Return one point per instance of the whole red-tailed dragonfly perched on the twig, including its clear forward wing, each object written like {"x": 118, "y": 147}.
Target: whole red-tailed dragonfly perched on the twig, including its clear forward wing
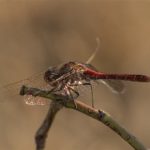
{"x": 66, "y": 79}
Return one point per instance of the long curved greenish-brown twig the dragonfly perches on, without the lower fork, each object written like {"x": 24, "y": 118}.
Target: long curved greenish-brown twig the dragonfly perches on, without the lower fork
{"x": 99, "y": 115}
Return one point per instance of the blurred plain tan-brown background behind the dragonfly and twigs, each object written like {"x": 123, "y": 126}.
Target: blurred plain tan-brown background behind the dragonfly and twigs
{"x": 37, "y": 34}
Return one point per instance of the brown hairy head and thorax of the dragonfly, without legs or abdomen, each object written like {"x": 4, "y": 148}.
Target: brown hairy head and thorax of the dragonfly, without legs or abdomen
{"x": 69, "y": 73}
